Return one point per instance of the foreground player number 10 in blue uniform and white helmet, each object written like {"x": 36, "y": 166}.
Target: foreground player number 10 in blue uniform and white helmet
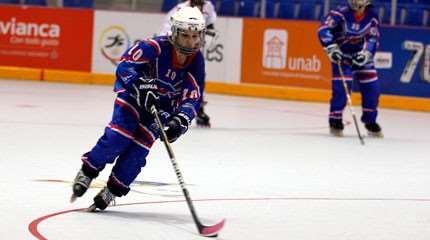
{"x": 165, "y": 72}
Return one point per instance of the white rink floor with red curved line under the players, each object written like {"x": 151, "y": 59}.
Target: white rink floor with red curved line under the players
{"x": 269, "y": 167}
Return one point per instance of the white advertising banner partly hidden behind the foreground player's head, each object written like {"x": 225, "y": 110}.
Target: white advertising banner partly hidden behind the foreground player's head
{"x": 114, "y": 32}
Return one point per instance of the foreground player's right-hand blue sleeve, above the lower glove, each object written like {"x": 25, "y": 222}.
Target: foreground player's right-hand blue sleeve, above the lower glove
{"x": 193, "y": 87}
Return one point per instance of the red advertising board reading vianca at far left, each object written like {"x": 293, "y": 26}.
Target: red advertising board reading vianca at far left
{"x": 40, "y": 37}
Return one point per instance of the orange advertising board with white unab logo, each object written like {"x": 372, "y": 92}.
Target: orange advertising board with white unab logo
{"x": 284, "y": 53}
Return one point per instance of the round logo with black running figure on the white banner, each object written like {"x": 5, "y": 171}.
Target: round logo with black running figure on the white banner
{"x": 113, "y": 42}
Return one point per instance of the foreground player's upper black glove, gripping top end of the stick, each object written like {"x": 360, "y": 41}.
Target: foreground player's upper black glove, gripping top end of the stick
{"x": 146, "y": 93}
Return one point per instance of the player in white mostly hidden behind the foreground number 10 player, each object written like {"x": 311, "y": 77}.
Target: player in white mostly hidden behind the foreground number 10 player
{"x": 209, "y": 14}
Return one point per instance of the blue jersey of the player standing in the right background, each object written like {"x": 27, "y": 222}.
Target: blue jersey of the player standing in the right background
{"x": 352, "y": 34}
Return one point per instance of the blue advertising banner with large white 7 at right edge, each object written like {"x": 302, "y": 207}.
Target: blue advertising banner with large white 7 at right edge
{"x": 404, "y": 69}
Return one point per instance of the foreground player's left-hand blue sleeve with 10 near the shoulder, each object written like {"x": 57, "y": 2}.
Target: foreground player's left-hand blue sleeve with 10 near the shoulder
{"x": 135, "y": 63}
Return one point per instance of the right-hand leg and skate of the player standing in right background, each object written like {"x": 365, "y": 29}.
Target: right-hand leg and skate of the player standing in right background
{"x": 370, "y": 91}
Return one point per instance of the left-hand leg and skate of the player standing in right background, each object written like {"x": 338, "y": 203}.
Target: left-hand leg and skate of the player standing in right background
{"x": 338, "y": 100}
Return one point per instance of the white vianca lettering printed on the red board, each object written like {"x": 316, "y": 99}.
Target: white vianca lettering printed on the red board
{"x": 30, "y": 29}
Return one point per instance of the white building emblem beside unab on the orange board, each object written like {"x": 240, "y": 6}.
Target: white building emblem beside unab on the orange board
{"x": 275, "y": 48}
